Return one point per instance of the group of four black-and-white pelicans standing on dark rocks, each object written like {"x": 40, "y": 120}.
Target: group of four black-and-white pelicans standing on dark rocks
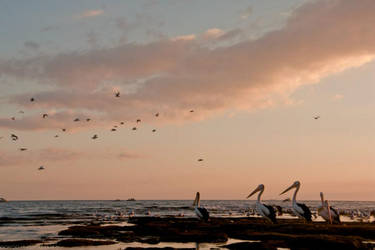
{"x": 327, "y": 212}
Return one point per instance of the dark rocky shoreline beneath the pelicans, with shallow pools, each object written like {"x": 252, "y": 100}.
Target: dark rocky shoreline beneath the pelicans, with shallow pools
{"x": 258, "y": 233}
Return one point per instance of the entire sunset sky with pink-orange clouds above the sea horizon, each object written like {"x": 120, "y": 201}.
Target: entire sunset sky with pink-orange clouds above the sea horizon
{"x": 255, "y": 73}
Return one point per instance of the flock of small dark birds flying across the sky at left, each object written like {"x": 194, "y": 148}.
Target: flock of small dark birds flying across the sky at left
{"x": 117, "y": 94}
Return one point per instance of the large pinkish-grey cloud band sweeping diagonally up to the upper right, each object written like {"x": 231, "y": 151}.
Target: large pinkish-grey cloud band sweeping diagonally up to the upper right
{"x": 171, "y": 76}
